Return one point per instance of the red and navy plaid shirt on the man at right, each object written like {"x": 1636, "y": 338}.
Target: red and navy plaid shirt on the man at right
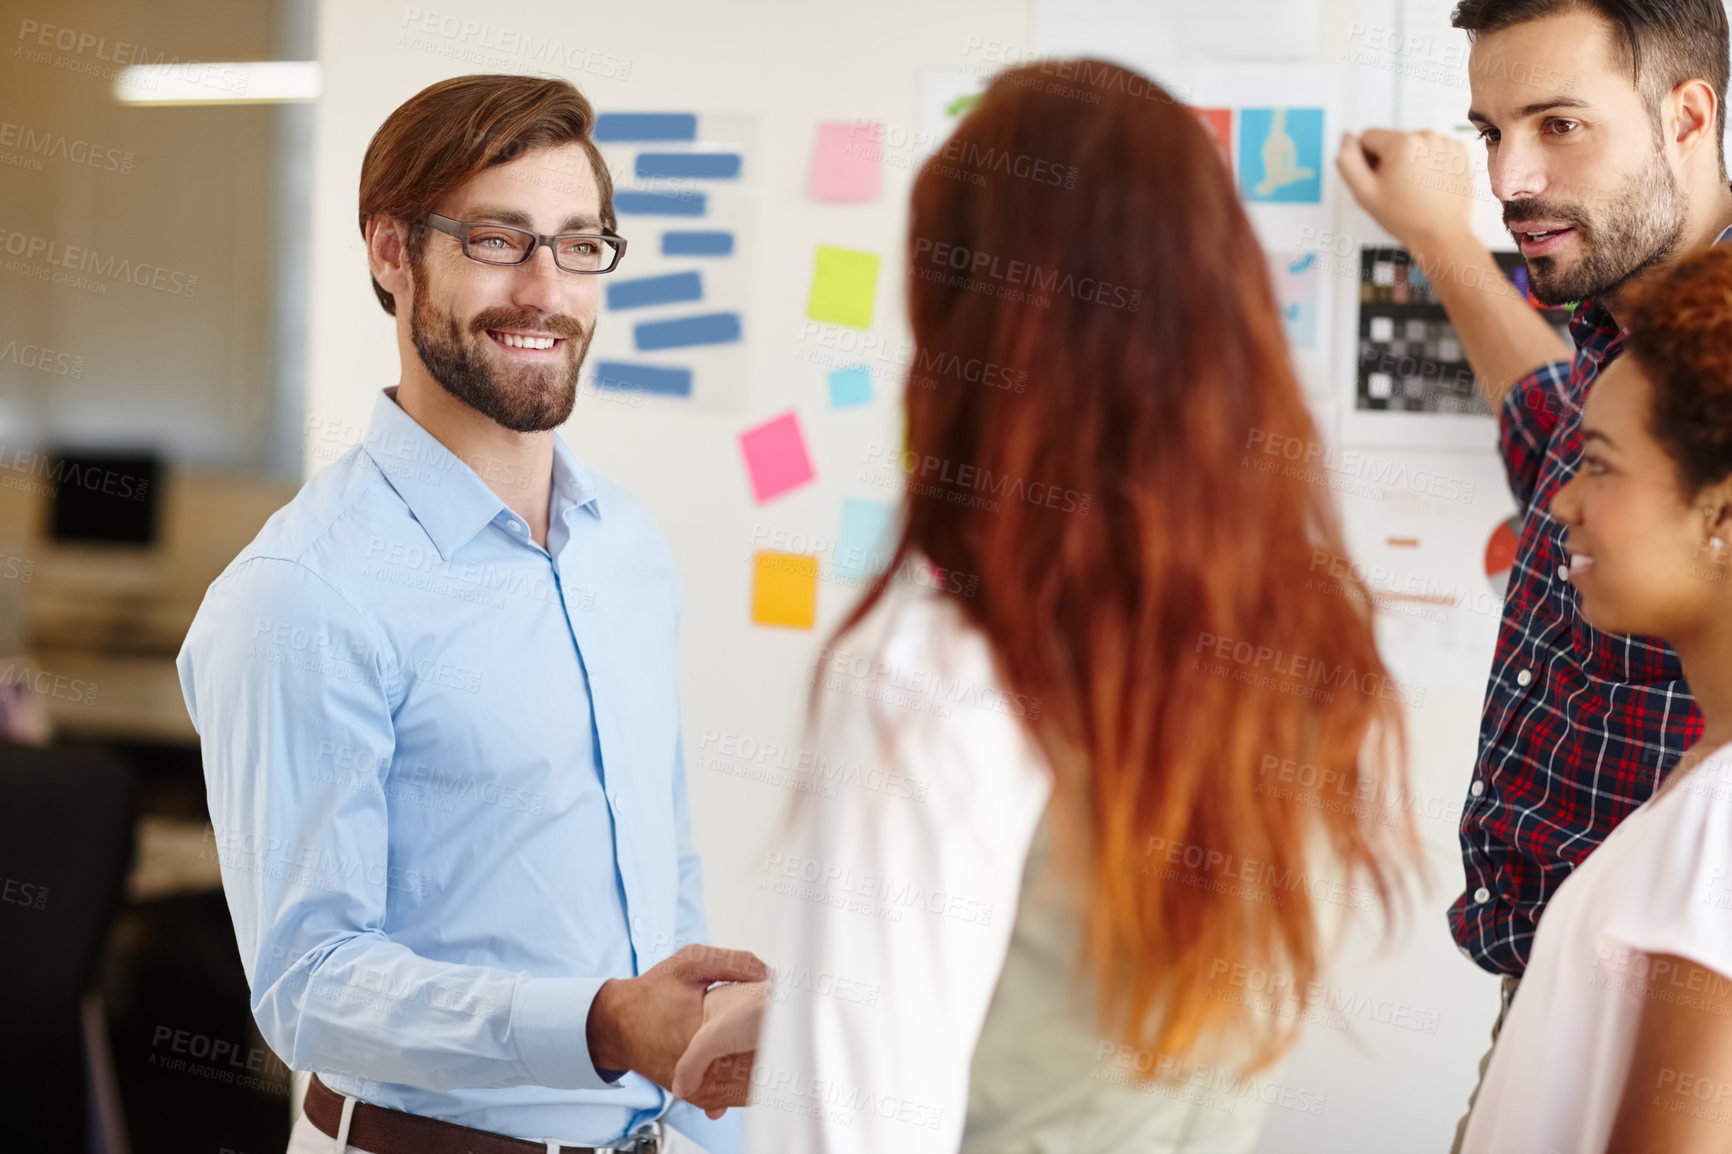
{"x": 1579, "y": 725}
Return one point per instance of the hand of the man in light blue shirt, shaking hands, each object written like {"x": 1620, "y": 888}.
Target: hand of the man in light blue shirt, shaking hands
{"x": 647, "y": 1023}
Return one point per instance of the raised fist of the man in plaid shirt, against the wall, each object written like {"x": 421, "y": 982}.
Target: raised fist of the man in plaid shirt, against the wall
{"x": 1419, "y": 186}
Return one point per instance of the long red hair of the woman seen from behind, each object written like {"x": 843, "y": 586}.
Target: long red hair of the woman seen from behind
{"x": 1095, "y": 335}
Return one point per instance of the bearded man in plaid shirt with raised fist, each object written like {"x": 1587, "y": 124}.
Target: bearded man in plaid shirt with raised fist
{"x": 1605, "y": 141}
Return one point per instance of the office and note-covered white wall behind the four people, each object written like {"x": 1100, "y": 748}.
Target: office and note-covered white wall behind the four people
{"x": 188, "y": 332}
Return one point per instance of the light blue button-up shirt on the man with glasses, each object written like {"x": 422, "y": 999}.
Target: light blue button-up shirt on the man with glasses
{"x": 448, "y": 786}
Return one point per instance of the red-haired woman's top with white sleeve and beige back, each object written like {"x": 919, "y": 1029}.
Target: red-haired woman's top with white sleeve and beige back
{"x": 903, "y": 909}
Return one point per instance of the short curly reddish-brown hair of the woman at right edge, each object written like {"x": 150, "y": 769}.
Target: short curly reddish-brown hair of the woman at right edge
{"x": 1681, "y": 335}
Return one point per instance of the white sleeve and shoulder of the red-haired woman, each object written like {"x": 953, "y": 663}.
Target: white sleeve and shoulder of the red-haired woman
{"x": 902, "y": 900}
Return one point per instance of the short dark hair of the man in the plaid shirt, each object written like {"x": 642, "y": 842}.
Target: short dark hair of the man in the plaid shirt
{"x": 1660, "y": 42}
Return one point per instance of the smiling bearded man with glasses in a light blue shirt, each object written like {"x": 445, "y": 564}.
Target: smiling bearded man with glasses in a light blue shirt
{"x": 439, "y": 713}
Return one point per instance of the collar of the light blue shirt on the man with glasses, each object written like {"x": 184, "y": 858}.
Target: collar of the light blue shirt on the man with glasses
{"x": 446, "y": 496}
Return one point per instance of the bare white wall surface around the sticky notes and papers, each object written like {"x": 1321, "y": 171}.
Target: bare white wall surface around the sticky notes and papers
{"x": 792, "y": 65}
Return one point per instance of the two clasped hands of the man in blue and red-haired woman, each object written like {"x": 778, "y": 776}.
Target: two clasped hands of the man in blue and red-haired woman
{"x": 688, "y": 1025}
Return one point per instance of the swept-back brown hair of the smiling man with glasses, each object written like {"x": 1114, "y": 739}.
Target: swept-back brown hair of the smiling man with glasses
{"x": 460, "y": 127}
